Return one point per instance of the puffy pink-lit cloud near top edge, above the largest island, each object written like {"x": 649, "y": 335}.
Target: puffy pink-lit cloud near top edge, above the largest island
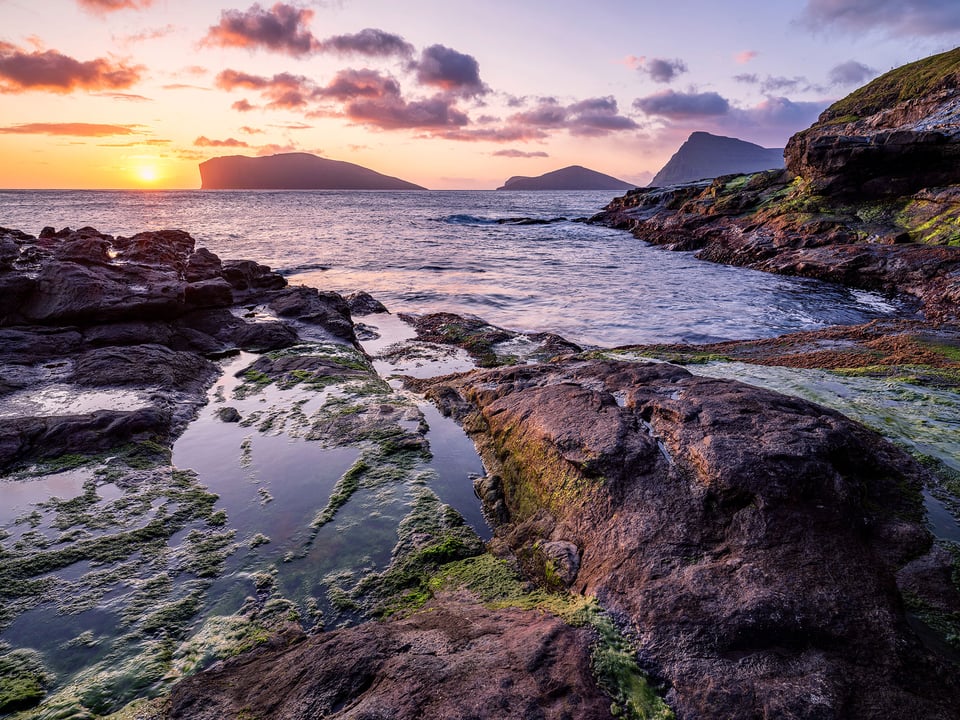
{"x": 282, "y": 29}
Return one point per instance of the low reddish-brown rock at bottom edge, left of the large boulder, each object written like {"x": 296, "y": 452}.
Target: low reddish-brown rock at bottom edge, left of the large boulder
{"x": 455, "y": 659}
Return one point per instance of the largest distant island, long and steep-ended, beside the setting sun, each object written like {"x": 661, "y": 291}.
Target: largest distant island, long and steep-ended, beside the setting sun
{"x": 293, "y": 171}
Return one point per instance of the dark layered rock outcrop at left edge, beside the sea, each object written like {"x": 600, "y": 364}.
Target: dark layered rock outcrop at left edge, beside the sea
{"x": 148, "y": 312}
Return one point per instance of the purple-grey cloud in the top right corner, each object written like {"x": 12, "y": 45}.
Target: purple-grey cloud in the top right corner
{"x": 898, "y": 17}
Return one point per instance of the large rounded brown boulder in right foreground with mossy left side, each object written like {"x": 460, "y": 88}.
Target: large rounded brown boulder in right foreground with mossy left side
{"x": 750, "y": 540}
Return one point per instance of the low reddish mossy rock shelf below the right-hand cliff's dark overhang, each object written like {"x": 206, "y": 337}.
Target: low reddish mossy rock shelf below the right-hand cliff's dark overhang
{"x": 775, "y": 223}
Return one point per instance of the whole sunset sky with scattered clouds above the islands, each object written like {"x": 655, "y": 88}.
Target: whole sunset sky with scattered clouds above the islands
{"x": 449, "y": 95}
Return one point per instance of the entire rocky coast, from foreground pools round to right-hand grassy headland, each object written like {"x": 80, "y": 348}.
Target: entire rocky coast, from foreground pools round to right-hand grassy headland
{"x": 663, "y": 544}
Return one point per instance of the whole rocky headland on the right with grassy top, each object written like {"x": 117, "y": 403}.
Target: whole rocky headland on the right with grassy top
{"x": 870, "y": 197}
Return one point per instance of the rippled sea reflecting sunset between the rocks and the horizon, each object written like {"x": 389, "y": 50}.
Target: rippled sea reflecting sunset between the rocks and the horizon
{"x": 430, "y": 251}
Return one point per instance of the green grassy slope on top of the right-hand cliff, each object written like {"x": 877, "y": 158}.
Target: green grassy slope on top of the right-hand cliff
{"x": 903, "y": 83}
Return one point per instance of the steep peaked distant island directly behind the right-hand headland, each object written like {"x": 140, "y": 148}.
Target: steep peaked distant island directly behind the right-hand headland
{"x": 705, "y": 156}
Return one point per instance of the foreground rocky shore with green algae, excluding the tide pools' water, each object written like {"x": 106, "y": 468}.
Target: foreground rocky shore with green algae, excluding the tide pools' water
{"x": 665, "y": 545}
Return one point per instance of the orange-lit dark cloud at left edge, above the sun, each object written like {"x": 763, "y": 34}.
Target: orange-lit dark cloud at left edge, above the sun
{"x": 22, "y": 71}
